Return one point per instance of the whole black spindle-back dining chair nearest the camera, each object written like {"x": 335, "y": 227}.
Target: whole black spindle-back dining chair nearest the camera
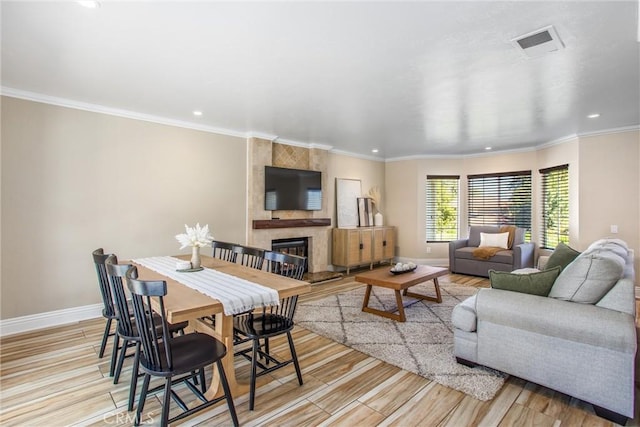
{"x": 176, "y": 359}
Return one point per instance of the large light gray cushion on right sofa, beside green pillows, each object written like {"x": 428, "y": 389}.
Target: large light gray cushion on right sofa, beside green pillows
{"x": 588, "y": 278}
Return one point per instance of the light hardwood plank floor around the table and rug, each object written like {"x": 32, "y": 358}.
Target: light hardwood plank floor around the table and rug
{"x": 53, "y": 377}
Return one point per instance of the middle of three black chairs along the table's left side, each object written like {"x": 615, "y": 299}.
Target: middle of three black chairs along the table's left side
{"x": 126, "y": 329}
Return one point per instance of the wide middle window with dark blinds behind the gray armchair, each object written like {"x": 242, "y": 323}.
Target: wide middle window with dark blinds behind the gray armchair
{"x": 500, "y": 199}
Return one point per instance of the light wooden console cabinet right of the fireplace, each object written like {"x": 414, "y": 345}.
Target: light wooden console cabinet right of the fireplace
{"x": 363, "y": 245}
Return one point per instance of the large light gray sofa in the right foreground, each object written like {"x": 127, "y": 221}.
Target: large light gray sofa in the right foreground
{"x": 579, "y": 340}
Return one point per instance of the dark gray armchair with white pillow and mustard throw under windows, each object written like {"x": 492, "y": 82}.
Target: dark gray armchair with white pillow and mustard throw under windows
{"x": 461, "y": 259}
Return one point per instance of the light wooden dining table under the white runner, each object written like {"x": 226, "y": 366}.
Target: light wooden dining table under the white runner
{"x": 184, "y": 303}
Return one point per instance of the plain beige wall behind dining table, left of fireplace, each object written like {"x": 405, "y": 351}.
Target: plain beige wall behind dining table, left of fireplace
{"x": 73, "y": 181}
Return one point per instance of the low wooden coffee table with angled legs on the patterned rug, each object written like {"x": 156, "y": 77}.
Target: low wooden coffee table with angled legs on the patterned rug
{"x": 400, "y": 282}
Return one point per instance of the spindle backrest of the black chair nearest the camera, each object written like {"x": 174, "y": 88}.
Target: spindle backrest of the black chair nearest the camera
{"x": 153, "y": 330}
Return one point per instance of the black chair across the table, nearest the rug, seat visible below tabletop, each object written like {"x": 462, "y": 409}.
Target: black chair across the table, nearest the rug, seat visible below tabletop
{"x": 269, "y": 323}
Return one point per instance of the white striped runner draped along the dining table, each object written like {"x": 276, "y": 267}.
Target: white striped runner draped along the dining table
{"x": 236, "y": 295}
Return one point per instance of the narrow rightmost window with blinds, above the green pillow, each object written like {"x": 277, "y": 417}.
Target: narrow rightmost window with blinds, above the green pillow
{"x": 555, "y": 206}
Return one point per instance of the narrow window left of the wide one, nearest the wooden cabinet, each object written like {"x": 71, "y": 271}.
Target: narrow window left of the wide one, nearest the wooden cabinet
{"x": 442, "y": 208}
